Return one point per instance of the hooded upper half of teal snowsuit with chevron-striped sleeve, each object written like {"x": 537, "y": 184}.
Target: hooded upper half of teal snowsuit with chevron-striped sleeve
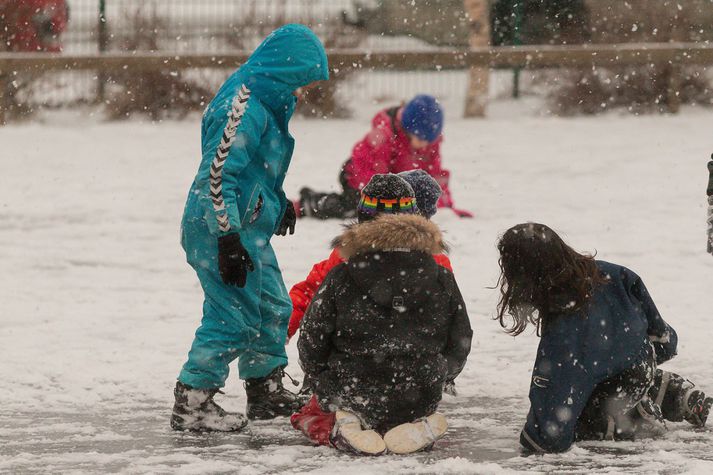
{"x": 240, "y": 189}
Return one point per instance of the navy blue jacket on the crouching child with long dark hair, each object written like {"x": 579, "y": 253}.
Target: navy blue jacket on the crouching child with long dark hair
{"x": 578, "y": 351}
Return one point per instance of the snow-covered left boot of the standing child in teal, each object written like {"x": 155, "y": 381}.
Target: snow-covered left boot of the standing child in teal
{"x": 195, "y": 410}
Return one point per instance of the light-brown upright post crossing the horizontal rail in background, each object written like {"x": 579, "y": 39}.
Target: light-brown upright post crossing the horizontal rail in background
{"x": 476, "y": 97}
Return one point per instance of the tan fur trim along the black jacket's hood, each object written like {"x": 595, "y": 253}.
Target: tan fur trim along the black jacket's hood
{"x": 388, "y": 232}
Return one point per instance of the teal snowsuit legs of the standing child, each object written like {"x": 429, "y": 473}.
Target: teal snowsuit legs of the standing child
{"x": 248, "y": 323}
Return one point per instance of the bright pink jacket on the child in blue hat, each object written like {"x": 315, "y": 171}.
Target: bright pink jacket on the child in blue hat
{"x": 387, "y": 149}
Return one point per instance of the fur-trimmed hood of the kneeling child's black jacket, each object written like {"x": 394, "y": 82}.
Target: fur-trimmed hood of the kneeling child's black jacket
{"x": 391, "y": 259}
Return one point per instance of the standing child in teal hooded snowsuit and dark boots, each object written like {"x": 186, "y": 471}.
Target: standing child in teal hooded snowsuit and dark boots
{"x": 234, "y": 207}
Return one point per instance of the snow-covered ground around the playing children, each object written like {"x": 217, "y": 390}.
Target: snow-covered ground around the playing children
{"x": 98, "y": 306}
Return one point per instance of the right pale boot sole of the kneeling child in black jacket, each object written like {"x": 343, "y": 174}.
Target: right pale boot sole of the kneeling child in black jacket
{"x": 415, "y": 436}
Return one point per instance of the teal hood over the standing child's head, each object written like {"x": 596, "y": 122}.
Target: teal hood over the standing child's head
{"x": 290, "y": 57}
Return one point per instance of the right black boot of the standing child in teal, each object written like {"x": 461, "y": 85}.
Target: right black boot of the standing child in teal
{"x": 268, "y": 398}
